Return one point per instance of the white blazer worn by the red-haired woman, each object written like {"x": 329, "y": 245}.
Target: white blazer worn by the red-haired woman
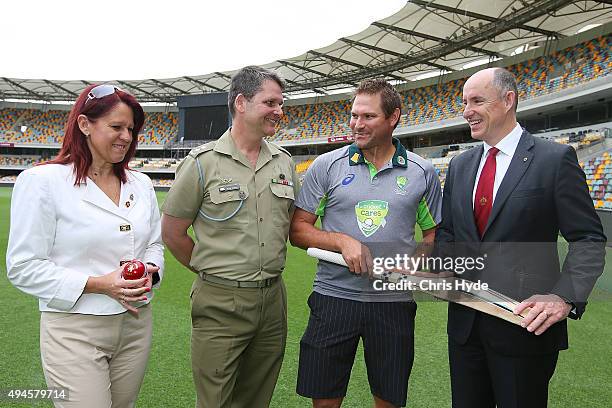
{"x": 60, "y": 235}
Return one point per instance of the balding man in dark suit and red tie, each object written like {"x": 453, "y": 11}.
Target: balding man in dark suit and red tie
{"x": 509, "y": 199}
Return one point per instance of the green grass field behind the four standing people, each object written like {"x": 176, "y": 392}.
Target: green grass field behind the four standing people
{"x": 582, "y": 378}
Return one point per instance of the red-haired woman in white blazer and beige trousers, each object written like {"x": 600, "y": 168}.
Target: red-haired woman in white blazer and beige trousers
{"x": 74, "y": 221}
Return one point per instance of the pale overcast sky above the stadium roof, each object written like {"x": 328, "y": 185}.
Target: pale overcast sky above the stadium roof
{"x": 135, "y": 39}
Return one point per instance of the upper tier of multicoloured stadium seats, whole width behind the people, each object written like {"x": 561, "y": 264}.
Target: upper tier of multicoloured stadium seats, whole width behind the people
{"x": 536, "y": 77}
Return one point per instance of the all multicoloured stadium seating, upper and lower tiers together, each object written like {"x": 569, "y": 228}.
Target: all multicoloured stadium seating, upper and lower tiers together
{"x": 320, "y": 121}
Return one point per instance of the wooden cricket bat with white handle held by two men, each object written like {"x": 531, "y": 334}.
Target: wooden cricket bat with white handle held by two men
{"x": 451, "y": 289}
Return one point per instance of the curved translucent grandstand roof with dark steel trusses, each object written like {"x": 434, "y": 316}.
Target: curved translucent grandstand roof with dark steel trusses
{"x": 426, "y": 36}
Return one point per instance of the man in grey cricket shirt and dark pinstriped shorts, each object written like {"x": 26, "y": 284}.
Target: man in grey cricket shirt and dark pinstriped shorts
{"x": 372, "y": 192}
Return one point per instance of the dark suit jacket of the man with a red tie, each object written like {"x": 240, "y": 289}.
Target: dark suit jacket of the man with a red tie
{"x": 544, "y": 192}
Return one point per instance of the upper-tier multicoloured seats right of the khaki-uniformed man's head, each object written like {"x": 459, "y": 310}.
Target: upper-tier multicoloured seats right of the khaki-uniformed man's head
{"x": 535, "y": 77}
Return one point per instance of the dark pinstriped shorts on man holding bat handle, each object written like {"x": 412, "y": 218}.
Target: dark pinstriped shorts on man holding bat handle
{"x": 329, "y": 345}
